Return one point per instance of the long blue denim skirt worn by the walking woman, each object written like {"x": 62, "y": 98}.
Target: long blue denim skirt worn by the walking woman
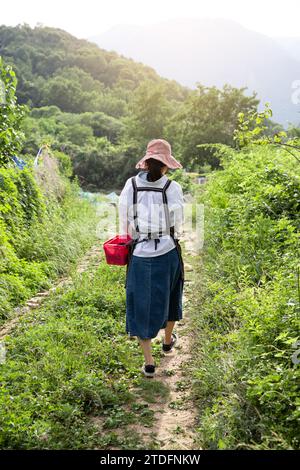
{"x": 153, "y": 293}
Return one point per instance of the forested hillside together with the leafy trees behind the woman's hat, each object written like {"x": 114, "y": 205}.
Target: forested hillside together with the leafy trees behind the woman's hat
{"x": 101, "y": 108}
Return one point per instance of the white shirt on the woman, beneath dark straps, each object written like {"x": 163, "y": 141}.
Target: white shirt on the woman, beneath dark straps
{"x": 150, "y": 211}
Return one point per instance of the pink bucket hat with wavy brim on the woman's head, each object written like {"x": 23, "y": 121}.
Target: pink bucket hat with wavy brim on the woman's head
{"x": 159, "y": 149}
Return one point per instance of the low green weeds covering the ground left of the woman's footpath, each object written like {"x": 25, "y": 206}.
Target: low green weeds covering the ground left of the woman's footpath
{"x": 66, "y": 381}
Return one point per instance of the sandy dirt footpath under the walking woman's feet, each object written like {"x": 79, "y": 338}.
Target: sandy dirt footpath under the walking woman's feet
{"x": 175, "y": 417}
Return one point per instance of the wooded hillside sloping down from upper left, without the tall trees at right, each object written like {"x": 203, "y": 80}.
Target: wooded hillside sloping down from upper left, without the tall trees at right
{"x": 83, "y": 95}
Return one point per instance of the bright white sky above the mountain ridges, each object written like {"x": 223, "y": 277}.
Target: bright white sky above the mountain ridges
{"x": 86, "y": 18}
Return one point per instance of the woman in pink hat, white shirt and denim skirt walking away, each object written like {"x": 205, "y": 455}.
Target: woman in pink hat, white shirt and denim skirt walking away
{"x": 151, "y": 212}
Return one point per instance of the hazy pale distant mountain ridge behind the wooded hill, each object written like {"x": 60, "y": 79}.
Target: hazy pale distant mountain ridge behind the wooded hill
{"x": 213, "y": 51}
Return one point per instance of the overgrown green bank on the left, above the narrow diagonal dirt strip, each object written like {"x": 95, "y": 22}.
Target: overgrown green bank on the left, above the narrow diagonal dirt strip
{"x": 39, "y": 237}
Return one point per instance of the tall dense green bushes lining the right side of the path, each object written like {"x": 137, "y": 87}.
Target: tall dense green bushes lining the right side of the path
{"x": 246, "y": 383}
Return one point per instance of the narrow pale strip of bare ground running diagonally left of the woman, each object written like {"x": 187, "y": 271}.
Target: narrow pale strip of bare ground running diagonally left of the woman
{"x": 90, "y": 258}
